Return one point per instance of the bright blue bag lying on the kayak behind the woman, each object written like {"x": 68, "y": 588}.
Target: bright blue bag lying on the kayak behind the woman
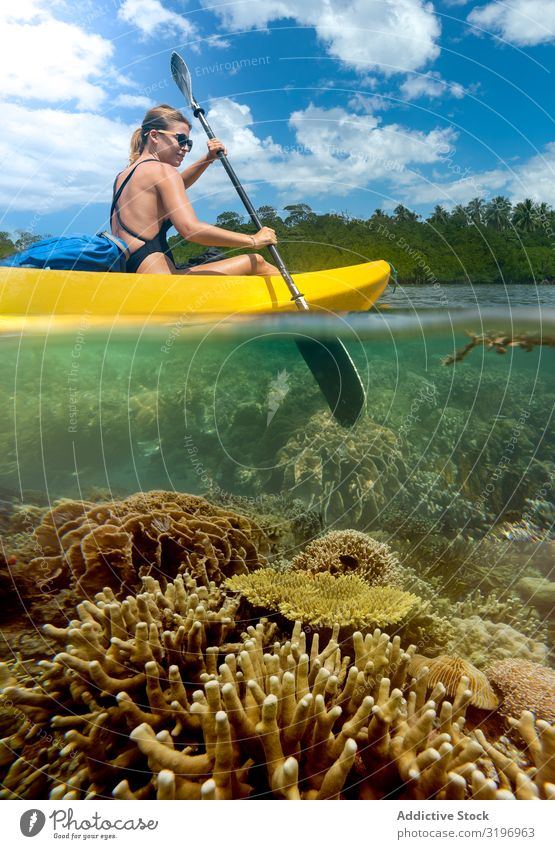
{"x": 103, "y": 252}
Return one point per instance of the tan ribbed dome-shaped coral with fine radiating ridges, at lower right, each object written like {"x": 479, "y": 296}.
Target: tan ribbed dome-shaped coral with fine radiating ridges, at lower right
{"x": 449, "y": 670}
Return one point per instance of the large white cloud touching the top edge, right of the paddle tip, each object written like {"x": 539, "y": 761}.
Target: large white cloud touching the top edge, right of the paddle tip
{"x": 390, "y": 35}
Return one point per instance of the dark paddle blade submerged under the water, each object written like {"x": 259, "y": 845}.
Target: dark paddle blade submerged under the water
{"x": 336, "y": 376}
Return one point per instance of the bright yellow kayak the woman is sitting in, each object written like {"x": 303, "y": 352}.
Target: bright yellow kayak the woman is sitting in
{"x": 26, "y": 292}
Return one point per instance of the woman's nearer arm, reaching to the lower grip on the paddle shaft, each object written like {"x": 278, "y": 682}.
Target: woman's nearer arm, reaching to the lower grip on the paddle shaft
{"x": 178, "y": 207}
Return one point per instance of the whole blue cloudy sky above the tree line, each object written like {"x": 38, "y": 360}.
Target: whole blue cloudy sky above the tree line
{"x": 345, "y": 105}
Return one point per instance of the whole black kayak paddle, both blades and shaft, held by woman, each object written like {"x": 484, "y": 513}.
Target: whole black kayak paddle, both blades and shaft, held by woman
{"x": 328, "y": 360}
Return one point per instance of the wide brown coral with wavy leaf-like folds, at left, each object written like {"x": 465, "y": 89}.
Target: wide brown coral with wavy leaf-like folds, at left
{"x": 115, "y": 544}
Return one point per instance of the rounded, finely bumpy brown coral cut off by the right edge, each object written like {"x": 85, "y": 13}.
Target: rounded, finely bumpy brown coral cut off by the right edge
{"x": 524, "y": 686}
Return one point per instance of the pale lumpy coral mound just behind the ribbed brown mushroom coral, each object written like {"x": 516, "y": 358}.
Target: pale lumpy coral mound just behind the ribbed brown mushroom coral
{"x": 481, "y": 641}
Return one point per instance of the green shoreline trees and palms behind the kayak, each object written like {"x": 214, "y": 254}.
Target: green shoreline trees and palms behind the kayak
{"x": 482, "y": 242}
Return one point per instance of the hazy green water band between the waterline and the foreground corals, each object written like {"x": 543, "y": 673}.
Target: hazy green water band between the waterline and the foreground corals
{"x": 234, "y": 410}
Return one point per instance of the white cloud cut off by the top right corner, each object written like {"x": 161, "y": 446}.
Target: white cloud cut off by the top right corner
{"x": 522, "y": 22}
